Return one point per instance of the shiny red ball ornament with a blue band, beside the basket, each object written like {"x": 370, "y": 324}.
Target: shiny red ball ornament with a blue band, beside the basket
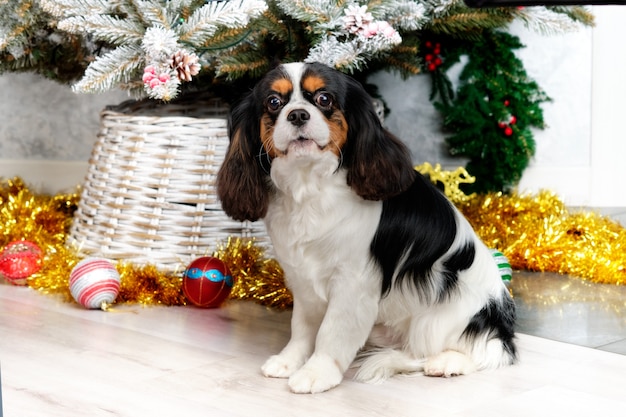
{"x": 207, "y": 282}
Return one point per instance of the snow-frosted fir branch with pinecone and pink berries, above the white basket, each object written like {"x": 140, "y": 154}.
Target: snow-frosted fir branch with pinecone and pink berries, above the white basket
{"x": 149, "y": 34}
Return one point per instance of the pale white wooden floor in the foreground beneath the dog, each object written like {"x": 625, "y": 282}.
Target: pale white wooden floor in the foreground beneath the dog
{"x": 58, "y": 359}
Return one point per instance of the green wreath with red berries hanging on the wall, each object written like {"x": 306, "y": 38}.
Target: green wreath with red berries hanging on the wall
{"x": 490, "y": 116}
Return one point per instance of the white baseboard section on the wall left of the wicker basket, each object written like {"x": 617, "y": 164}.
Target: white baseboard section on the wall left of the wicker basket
{"x": 45, "y": 176}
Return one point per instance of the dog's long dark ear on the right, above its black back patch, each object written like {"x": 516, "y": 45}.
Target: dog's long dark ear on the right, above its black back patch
{"x": 379, "y": 165}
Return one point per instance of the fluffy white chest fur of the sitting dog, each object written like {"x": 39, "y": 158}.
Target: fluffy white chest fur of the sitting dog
{"x": 321, "y": 230}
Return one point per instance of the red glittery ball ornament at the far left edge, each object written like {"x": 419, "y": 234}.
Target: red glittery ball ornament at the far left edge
{"x": 19, "y": 260}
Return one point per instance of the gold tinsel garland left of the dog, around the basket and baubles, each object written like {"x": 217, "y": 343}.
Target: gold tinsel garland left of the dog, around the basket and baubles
{"x": 45, "y": 220}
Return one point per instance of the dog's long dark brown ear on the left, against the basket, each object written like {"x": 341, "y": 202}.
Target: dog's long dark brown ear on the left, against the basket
{"x": 242, "y": 185}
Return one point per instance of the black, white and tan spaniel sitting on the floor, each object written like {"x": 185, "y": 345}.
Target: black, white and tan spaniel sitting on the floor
{"x": 380, "y": 263}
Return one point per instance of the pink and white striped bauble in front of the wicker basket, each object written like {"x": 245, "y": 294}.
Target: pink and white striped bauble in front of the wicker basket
{"x": 94, "y": 283}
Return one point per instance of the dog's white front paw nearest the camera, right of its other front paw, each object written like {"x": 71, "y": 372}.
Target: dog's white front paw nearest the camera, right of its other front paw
{"x": 318, "y": 375}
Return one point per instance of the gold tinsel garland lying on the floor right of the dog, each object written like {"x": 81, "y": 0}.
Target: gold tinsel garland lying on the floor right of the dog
{"x": 538, "y": 233}
